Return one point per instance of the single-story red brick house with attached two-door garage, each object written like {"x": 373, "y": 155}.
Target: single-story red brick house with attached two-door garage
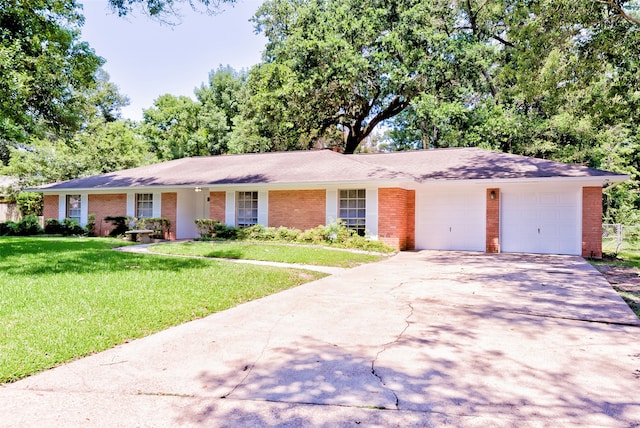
{"x": 449, "y": 199}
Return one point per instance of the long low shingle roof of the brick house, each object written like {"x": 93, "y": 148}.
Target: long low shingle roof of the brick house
{"x": 325, "y": 166}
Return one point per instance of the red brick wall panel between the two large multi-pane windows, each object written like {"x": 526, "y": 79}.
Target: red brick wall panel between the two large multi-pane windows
{"x": 300, "y": 209}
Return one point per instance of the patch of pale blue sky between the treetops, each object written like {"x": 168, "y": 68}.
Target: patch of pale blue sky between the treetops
{"x": 147, "y": 59}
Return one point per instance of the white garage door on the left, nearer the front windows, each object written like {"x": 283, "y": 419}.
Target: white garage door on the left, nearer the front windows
{"x": 451, "y": 220}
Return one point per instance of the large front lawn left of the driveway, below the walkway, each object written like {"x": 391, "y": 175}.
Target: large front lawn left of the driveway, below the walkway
{"x": 63, "y": 298}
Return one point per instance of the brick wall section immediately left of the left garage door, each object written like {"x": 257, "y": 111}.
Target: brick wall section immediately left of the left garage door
{"x": 396, "y": 217}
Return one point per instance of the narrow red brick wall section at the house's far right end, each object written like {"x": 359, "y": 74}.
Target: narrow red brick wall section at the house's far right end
{"x": 592, "y": 222}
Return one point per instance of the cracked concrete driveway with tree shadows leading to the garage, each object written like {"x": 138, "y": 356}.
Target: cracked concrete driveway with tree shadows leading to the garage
{"x": 422, "y": 339}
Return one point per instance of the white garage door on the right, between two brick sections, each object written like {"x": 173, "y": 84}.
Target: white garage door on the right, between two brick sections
{"x": 544, "y": 222}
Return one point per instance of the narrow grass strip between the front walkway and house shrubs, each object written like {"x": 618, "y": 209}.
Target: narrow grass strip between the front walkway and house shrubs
{"x": 269, "y": 252}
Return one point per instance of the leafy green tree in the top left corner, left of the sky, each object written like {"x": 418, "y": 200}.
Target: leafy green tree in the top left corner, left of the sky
{"x": 44, "y": 67}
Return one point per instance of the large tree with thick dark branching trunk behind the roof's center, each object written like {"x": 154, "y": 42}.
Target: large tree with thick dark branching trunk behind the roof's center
{"x": 354, "y": 64}
